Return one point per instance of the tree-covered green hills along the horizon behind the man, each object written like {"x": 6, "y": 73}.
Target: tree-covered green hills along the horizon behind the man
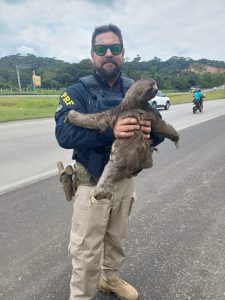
{"x": 176, "y": 73}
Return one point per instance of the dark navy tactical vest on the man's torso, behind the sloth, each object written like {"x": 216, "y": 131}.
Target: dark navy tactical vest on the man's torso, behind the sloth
{"x": 99, "y": 99}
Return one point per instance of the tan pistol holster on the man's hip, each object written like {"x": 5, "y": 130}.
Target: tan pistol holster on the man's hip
{"x": 68, "y": 179}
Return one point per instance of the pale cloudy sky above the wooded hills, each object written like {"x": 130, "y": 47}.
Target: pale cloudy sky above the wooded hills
{"x": 151, "y": 28}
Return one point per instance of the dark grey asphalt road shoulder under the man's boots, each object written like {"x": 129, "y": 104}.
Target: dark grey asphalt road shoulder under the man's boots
{"x": 176, "y": 243}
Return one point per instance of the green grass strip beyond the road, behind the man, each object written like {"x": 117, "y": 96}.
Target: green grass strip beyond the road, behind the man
{"x": 22, "y": 108}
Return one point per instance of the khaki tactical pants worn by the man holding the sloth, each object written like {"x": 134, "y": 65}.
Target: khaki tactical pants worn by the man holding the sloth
{"x": 97, "y": 237}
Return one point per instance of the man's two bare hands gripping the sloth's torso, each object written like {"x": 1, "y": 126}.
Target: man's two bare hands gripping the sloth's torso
{"x": 126, "y": 127}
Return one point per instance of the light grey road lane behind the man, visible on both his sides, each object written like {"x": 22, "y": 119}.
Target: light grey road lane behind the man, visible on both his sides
{"x": 29, "y": 150}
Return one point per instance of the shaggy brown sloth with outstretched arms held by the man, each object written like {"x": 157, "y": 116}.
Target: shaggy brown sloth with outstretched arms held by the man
{"x": 128, "y": 155}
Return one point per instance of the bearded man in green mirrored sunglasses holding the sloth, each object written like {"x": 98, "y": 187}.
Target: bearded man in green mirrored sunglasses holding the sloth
{"x": 99, "y": 230}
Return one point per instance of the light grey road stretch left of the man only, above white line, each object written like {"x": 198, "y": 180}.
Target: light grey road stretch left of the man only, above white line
{"x": 28, "y": 152}
